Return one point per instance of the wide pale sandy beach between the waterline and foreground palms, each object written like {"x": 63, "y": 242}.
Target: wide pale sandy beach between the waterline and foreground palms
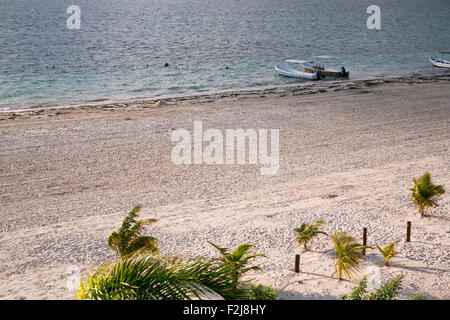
{"x": 348, "y": 153}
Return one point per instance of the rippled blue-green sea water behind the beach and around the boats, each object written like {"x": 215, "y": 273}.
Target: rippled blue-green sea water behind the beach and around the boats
{"x": 121, "y": 47}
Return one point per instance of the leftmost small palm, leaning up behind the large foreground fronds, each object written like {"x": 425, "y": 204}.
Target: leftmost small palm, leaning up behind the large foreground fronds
{"x": 128, "y": 239}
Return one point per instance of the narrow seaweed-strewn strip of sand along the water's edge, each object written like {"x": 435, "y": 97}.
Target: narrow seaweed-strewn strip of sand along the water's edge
{"x": 235, "y": 93}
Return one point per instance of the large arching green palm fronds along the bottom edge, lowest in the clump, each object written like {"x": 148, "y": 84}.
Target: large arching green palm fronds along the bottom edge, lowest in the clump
{"x": 146, "y": 276}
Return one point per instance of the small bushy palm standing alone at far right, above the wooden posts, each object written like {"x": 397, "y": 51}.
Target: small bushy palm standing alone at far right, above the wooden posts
{"x": 424, "y": 192}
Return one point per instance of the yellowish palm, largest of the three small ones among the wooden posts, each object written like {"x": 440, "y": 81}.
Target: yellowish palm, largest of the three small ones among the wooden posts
{"x": 349, "y": 254}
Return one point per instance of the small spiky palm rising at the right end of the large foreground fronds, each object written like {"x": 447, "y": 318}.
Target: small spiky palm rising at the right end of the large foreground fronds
{"x": 237, "y": 260}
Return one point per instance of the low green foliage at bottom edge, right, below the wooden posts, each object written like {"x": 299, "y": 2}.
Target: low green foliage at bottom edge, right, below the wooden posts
{"x": 388, "y": 291}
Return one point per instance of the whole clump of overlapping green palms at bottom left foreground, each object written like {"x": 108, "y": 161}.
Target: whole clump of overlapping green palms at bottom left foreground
{"x": 142, "y": 273}
